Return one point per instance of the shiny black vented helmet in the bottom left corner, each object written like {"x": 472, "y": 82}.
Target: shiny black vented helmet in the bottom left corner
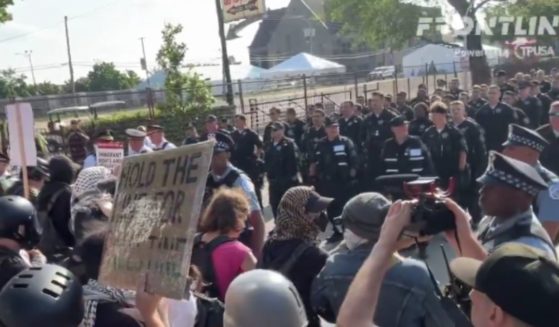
{"x": 42, "y": 296}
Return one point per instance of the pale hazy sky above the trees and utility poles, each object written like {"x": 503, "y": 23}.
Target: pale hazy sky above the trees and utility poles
{"x": 109, "y": 30}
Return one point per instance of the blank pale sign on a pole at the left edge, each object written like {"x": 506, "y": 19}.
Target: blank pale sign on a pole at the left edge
{"x": 21, "y": 132}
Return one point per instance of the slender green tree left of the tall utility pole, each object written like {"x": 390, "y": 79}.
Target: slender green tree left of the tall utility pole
{"x": 187, "y": 95}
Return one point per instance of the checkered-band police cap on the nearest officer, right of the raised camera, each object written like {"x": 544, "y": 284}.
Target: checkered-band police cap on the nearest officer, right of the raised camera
{"x": 516, "y": 174}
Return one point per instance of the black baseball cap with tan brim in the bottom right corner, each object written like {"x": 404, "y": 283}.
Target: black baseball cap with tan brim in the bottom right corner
{"x": 517, "y": 278}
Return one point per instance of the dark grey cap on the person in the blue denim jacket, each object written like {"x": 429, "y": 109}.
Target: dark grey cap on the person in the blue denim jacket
{"x": 364, "y": 214}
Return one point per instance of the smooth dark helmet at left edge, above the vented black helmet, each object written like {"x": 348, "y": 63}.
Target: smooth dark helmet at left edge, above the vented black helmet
{"x": 18, "y": 221}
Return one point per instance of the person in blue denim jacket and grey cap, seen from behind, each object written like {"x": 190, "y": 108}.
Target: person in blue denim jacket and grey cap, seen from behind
{"x": 407, "y": 295}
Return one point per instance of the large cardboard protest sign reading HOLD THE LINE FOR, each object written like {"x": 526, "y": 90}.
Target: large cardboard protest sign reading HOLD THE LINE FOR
{"x": 154, "y": 220}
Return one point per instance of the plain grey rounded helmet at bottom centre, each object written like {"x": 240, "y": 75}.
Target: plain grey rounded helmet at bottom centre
{"x": 263, "y": 298}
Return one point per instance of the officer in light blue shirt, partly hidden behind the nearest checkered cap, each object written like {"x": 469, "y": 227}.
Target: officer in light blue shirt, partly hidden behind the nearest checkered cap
{"x": 526, "y": 145}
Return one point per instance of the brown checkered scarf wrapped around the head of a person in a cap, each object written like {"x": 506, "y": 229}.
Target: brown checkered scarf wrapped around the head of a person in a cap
{"x": 292, "y": 221}
